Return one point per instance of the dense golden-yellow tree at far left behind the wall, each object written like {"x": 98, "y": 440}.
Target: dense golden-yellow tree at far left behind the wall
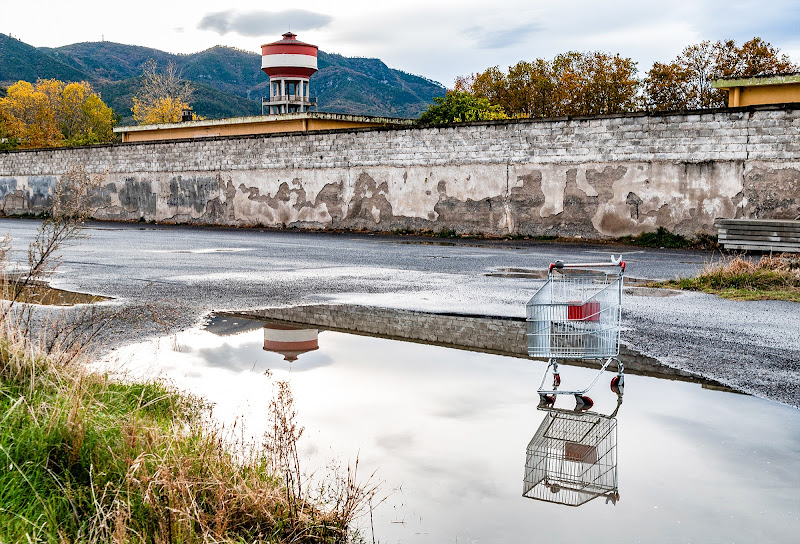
{"x": 53, "y": 113}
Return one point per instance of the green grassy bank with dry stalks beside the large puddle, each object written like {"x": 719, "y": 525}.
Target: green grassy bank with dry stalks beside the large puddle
{"x": 84, "y": 458}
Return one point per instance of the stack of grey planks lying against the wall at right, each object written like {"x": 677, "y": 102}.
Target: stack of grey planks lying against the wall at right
{"x": 775, "y": 235}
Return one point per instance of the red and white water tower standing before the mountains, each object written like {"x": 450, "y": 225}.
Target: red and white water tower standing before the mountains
{"x": 288, "y": 63}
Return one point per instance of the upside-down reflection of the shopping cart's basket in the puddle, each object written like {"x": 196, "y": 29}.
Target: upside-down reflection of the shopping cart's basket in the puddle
{"x": 572, "y": 458}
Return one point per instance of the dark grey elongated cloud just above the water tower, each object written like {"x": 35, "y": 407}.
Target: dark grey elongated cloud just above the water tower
{"x": 261, "y": 23}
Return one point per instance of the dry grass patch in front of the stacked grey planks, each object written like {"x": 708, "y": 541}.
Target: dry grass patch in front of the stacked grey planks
{"x": 771, "y": 277}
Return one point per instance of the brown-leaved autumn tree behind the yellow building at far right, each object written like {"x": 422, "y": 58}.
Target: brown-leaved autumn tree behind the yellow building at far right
{"x": 685, "y": 83}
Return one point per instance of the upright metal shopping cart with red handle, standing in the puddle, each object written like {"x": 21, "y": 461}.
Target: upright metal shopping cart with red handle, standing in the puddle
{"x": 576, "y": 315}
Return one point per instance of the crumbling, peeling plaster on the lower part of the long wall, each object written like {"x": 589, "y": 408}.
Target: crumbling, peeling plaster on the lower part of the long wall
{"x": 606, "y": 199}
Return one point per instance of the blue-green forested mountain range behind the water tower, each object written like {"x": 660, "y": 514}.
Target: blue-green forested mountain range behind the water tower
{"x": 228, "y": 82}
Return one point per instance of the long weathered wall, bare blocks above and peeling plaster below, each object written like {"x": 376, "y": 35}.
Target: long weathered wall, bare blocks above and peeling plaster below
{"x": 594, "y": 177}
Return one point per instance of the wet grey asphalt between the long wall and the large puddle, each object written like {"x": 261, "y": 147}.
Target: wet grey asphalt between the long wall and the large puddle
{"x": 186, "y": 272}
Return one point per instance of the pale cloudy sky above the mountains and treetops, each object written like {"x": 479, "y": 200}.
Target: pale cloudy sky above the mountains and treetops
{"x": 438, "y": 40}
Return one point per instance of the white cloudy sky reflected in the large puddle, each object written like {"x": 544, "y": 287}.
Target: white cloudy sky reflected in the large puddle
{"x": 447, "y": 431}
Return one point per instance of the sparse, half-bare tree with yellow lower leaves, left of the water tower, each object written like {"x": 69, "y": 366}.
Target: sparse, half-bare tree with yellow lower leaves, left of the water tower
{"x": 163, "y": 95}
